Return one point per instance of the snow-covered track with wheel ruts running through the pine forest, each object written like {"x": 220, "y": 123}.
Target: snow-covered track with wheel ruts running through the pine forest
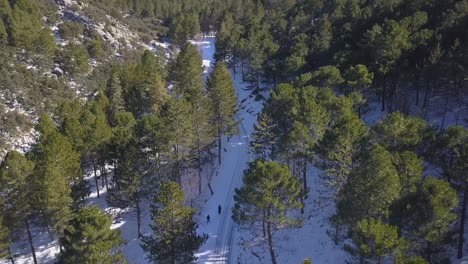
{"x": 221, "y": 229}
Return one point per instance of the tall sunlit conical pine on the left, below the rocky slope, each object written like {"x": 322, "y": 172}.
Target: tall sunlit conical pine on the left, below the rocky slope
{"x": 58, "y": 169}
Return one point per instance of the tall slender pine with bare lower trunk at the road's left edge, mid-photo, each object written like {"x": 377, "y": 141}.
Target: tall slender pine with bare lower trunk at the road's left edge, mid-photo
{"x": 222, "y": 95}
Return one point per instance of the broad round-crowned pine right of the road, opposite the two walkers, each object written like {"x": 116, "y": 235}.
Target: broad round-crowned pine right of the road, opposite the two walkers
{"x": 268, "y": 194}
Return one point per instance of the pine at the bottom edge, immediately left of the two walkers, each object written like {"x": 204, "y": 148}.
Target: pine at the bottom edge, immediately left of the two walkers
{"x": 175, "y": 238}
